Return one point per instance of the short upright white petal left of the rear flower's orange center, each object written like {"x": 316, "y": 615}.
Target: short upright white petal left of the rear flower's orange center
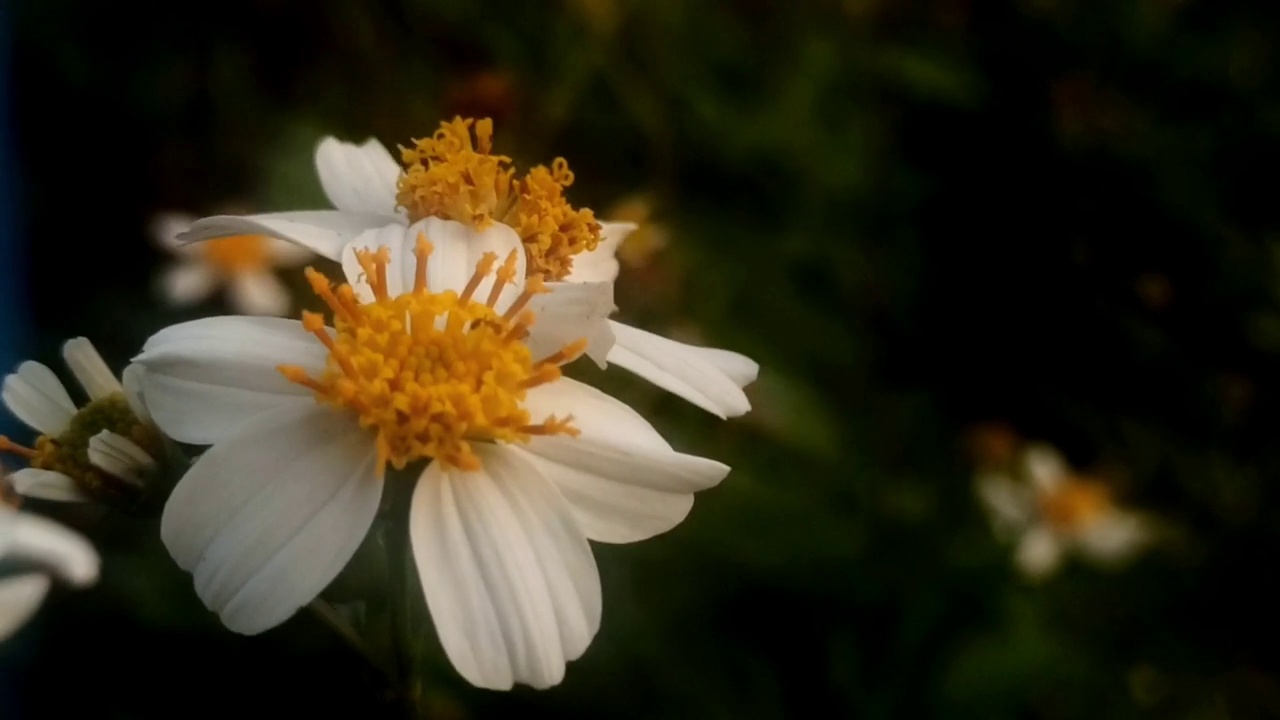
{"x": 358, "y": 179}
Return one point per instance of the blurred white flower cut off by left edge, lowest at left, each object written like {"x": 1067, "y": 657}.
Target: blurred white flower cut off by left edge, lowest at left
{"x": 38, "y": 552}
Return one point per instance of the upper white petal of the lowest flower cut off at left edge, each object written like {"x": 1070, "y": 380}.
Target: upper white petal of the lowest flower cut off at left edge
{"x": 62, "y": 550}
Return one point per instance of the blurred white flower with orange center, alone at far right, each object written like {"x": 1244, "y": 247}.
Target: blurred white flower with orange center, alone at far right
{"x": 1050, "y": 512}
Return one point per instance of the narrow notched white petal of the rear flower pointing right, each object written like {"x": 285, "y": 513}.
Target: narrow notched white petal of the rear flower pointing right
{"x": 711, "y": 381}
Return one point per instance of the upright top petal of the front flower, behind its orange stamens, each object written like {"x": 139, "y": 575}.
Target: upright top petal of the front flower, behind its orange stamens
{"x": 456, "y": 249}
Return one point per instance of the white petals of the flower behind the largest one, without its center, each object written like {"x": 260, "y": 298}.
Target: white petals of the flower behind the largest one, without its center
{"x": 362, "y": 181}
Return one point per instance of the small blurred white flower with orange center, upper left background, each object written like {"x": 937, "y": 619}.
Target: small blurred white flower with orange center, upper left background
{"x": 244, "y": 265}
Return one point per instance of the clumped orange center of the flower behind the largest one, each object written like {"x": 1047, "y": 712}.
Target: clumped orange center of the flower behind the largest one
{"x": 455, "y": 177}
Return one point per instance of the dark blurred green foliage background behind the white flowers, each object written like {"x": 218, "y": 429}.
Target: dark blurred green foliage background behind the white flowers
{"x": 918, "y": 216}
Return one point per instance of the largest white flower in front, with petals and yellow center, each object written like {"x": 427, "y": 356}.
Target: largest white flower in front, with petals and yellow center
{"x": 437, "y": 357}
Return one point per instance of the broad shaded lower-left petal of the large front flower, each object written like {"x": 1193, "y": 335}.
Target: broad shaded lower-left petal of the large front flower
{"x": 267, "y": 518}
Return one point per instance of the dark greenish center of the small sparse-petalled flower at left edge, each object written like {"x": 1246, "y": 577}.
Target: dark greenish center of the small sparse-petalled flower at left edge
{"x": 68, "y": 453}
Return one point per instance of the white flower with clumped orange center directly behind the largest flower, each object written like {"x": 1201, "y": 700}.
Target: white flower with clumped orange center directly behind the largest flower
{"x": 454, "y": 177}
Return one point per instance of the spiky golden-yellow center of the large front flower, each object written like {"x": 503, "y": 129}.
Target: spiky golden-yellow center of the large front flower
{"x": 433, "y": 372}
